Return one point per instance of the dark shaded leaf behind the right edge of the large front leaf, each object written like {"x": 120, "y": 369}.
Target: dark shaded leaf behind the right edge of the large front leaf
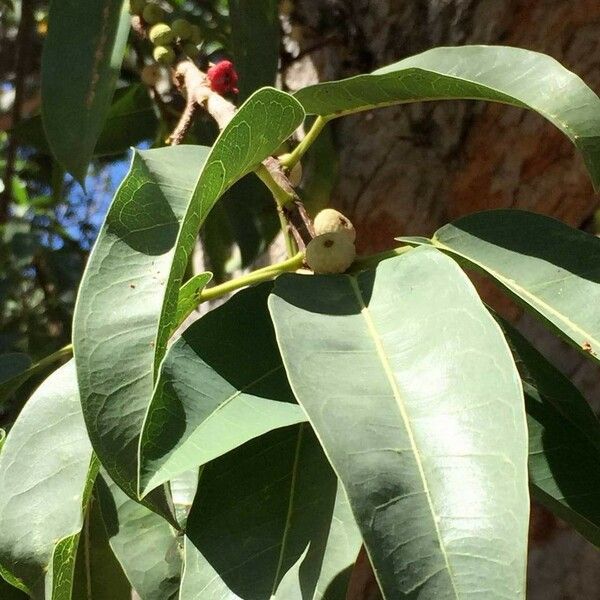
{"x": 564, "y": 441}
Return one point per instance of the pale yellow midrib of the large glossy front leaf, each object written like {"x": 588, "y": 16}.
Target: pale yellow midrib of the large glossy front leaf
{"x": 373, "y": 333}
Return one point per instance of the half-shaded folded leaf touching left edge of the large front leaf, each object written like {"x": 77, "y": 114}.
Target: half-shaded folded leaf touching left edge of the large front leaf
{"x": 221, "y": 384}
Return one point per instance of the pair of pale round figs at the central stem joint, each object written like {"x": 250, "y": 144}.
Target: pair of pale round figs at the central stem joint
{"x": 332, "y": 249}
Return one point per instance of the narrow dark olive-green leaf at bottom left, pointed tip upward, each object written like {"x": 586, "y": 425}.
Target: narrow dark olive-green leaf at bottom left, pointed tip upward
{"x": 98, "y": 574}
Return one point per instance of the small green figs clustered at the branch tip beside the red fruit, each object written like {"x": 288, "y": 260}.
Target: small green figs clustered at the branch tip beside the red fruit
{"x": 180, "y": 34}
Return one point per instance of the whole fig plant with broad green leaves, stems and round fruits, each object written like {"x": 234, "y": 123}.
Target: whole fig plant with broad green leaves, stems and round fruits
{"x": 332, "y": 405}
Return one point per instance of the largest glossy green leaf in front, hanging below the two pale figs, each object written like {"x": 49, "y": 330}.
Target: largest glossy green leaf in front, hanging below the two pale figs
{"x": 416, "y": 400}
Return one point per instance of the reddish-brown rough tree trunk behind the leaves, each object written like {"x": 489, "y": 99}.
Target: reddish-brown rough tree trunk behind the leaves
{"x": 411, "y": 168}
